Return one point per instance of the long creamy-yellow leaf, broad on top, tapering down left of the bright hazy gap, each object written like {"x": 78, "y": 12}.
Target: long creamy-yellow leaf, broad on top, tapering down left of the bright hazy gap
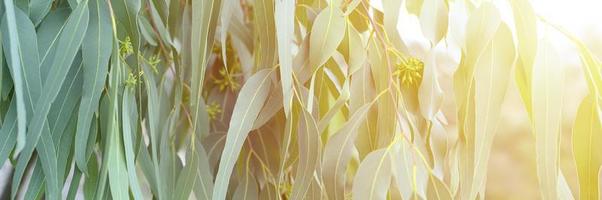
{"x": 491, "y": 76}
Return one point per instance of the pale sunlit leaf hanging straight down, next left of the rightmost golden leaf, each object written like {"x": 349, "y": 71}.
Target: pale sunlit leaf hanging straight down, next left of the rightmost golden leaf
{"x": 547, "y": 87}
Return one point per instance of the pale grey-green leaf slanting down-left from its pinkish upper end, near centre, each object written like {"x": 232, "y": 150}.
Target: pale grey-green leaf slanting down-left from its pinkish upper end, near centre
{"x": 251, "y": 98}
